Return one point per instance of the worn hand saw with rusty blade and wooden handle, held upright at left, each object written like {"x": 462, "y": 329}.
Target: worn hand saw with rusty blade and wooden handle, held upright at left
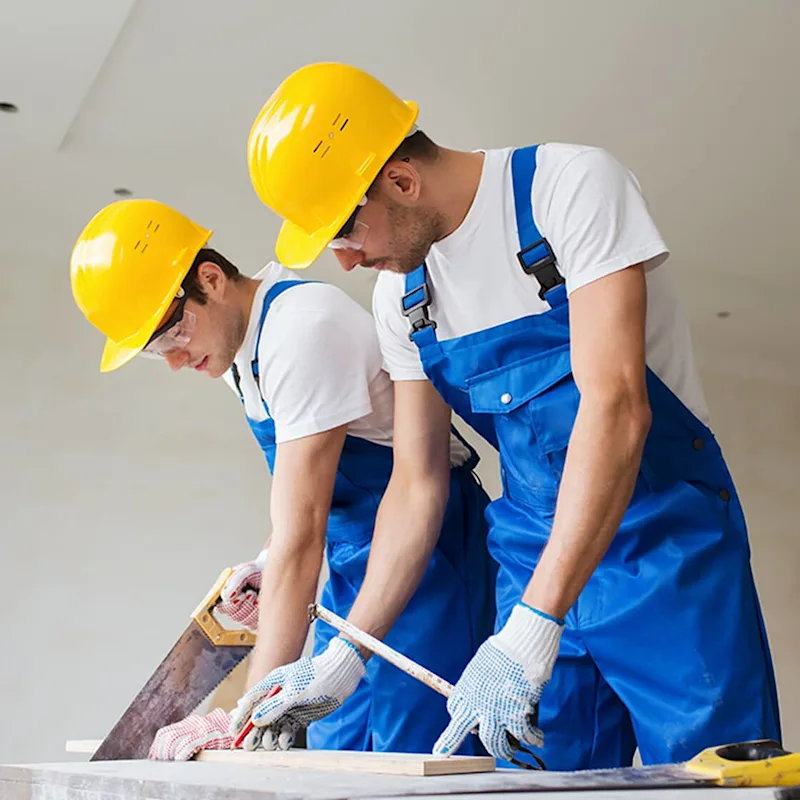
{"x": 197, "y": 663}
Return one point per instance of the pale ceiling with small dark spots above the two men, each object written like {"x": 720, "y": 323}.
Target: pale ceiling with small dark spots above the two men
{"x": 700, "y": 99}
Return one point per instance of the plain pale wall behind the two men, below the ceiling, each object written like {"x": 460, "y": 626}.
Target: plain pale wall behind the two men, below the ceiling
{"x": 124, "y": 495}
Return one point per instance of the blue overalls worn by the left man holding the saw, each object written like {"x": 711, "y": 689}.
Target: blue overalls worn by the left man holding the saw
{"x": 448, "y": 617}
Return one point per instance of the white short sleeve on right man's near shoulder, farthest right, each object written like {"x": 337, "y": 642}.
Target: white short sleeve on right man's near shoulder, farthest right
{"x": 596, "y": 219}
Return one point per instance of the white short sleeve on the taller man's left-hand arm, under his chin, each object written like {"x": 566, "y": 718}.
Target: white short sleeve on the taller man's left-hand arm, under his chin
{"x": 400, "y": 355}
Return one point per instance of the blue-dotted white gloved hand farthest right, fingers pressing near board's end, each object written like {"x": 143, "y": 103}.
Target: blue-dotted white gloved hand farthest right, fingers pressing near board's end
{"x": 500, "y": 688}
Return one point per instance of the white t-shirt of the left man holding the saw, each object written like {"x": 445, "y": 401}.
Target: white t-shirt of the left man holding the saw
{"x": 319, "y": 365}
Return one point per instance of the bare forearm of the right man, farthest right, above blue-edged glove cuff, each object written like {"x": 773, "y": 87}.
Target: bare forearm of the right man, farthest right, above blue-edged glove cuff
{"x": 602, "y": 463}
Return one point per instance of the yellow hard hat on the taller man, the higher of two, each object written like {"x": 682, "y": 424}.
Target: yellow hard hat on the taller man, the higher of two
{"x": 315, "y": 148}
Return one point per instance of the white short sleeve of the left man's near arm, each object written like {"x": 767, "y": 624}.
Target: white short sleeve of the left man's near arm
{"x": 316, "y": 373}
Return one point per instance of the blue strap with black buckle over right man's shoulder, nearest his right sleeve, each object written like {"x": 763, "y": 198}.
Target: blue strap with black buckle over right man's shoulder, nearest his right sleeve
{"x": 535, "y": 256}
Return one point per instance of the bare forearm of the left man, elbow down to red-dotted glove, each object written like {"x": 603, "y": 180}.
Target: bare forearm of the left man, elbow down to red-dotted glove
{"x": 288, "y": 585}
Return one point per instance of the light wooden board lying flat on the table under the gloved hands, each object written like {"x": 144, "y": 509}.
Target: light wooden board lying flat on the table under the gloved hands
{"x": 334, "y": 760}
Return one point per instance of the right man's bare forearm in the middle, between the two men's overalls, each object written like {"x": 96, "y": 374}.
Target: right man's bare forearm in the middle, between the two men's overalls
{"x": 407, "y": 529}
